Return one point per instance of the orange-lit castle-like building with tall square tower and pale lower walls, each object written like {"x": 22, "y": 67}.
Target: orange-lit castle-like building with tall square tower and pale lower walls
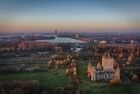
{"x": 105, "y": 70}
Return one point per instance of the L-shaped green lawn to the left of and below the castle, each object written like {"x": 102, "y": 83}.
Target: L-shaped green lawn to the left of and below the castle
{"x": 88, "y": 87}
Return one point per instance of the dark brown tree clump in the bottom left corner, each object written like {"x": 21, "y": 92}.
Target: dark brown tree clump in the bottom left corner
{"x": 19, "y": 87}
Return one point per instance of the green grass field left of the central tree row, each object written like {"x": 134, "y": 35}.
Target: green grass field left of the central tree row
{"x": 51, "y": 78}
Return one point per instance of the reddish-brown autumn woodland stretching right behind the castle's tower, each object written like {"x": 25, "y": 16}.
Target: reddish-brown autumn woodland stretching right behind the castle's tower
{"x": 119, "y": 52}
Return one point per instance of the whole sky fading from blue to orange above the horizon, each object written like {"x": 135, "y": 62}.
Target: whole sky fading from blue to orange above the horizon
{"x": 69, "y": 15}
